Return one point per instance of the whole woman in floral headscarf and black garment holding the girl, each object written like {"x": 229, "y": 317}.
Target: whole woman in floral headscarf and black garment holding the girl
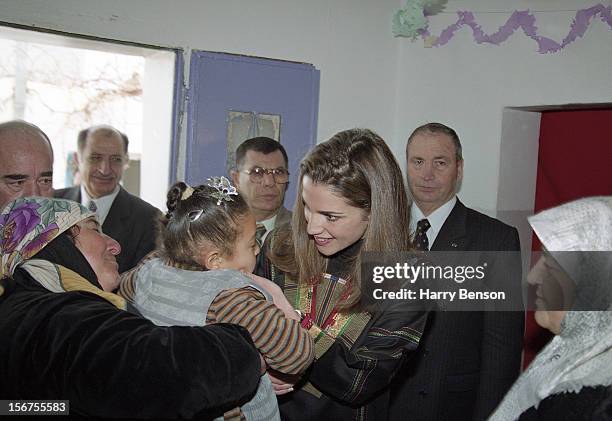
{"x": 66, "y": 336}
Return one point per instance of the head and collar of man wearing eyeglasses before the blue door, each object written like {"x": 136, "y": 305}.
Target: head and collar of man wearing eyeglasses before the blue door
{"x": 261, "y": 176}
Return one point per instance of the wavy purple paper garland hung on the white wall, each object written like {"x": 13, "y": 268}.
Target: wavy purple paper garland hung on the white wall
{"x": 525, "y": 21}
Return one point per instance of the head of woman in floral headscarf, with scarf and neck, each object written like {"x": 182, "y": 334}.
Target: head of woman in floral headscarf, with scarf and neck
{"x": 39, "y": 236}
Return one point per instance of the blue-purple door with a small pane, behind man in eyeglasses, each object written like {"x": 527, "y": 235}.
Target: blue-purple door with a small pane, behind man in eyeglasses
{"x": 233, "y": 98}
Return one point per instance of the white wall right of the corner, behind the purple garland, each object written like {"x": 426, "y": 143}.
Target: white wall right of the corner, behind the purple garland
{"x": 467, "y": 85}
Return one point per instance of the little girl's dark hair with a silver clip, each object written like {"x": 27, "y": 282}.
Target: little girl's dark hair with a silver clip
{"x": 198, "y": 221}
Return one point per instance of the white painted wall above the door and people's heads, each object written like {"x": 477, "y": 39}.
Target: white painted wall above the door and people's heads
{"x": 369, "y": 78}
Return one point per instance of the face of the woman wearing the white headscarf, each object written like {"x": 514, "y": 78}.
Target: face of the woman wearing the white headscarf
{"x": 554, "y": 292}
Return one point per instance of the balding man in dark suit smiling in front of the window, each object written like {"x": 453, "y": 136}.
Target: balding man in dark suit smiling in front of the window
{"x": 102, "y": 156}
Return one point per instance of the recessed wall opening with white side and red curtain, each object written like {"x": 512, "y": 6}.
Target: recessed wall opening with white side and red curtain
{"x": 550, "y": 155}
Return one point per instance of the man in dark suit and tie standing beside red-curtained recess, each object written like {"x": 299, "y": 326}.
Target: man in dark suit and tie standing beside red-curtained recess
{"x": 466, "y": 360}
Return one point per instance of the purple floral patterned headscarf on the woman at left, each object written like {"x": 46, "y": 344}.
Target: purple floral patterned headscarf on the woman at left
{"x": 28, "y": 224}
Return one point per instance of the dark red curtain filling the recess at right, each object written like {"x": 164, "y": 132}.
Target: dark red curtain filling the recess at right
{"x": 574, "y": 161}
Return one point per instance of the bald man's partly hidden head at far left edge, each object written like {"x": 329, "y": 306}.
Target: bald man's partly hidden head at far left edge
{"x": 26, "y": 162}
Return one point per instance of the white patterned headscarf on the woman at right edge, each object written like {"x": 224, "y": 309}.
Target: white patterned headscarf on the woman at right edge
{"x": 581, "y": 355}
